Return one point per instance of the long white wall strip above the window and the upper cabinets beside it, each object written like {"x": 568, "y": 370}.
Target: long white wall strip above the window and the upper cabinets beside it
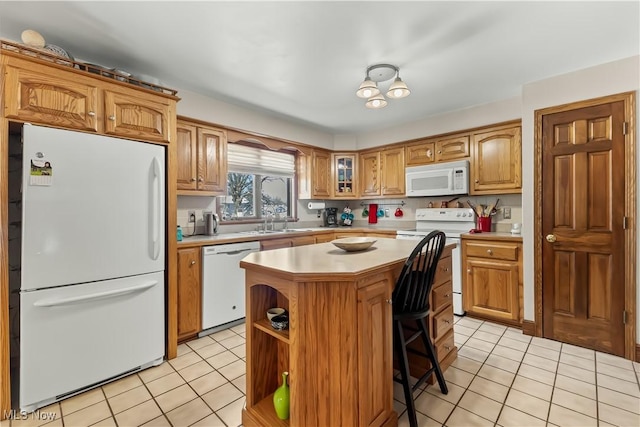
{"x": 198, "y": 106}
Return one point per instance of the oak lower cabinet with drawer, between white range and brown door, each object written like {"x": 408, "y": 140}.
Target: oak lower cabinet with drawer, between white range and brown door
{"x": 492, "y": 279}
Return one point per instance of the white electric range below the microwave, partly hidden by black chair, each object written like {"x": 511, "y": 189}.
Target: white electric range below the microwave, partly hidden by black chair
{"x": 453, "y": 222}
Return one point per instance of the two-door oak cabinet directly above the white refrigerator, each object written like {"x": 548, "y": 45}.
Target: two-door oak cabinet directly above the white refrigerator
{"x": 67, "y": 98}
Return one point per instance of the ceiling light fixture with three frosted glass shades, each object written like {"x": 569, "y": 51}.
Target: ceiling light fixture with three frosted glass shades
{"x": 381, "y": 73}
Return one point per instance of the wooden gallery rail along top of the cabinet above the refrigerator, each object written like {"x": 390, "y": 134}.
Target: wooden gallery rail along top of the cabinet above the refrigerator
{"x": 53, "y": 55}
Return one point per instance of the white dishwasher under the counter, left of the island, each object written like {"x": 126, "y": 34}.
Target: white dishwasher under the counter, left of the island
{"x": 223, "y": 298}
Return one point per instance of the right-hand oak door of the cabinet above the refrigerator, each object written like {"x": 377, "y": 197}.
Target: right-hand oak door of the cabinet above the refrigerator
{"x": 134, "y": 116}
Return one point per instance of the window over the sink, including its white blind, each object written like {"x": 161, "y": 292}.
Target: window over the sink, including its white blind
{"x": 259, "y": 184}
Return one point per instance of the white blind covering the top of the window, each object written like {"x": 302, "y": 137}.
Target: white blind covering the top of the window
{"x": 244, "y": 159}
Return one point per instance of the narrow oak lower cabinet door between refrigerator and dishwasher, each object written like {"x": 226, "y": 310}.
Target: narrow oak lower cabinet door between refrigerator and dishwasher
{"x": 189, "y": 293}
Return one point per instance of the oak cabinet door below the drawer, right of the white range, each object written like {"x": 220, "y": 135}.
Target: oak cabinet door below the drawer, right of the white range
{"x": 491, "y": 289}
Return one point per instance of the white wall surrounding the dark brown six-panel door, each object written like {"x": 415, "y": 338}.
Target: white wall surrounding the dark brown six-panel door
{"x": 606, "y": 79}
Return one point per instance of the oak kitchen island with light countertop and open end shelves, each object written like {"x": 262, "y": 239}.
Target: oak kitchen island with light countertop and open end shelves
{"x": 338, "y": 349}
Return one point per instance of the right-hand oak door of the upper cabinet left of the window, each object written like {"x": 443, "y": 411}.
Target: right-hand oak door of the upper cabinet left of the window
{"x": 212, "y": 163}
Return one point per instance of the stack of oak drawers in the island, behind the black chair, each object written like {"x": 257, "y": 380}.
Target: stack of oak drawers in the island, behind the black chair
{"x": 440, "y": 321}
